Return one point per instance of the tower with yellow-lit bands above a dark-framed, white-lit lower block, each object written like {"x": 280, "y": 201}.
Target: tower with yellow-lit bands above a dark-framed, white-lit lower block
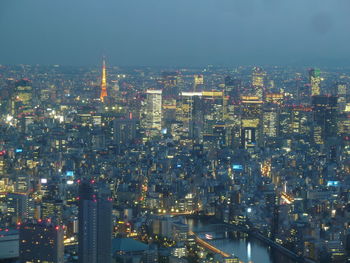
{"x": 251, "y": 113}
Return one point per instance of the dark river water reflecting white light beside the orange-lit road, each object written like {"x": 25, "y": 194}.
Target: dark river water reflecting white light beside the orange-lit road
{"x": 249, "y": 250}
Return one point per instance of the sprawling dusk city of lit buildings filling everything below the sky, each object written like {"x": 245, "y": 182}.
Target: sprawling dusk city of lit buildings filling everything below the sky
{"x": 123, "y": 164}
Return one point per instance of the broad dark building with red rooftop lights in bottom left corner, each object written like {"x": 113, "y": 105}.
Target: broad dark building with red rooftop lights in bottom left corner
{"x": 41, "y": 242}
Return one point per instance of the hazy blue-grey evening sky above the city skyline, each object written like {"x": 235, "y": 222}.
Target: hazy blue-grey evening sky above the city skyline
{"x": 175, "y": 32}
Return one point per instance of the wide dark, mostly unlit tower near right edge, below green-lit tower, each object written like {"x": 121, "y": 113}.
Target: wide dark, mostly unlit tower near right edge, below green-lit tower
{"x": 324, "y": 117}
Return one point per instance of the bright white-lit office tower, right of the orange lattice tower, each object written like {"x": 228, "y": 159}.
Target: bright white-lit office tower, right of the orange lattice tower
{"x": 153, "y": 112}
